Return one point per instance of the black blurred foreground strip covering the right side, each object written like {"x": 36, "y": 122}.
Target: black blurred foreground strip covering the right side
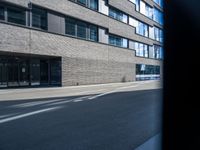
{"x": 181, "y": 123}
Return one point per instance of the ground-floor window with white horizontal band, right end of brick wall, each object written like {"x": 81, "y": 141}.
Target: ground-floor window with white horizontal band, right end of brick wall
{"x": 147, "y": 72}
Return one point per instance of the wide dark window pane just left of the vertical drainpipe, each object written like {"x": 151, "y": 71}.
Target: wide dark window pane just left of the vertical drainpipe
{"x": 16, "y": 15}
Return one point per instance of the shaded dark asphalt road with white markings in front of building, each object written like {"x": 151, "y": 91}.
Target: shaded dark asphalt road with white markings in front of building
{"x": 114, "y": 121}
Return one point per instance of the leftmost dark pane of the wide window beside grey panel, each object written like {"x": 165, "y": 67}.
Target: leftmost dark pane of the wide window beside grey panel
{"x": 70, "y": 26}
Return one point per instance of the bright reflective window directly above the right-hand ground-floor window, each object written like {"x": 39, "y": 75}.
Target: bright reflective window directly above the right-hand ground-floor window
{"x": 141, "y": 49}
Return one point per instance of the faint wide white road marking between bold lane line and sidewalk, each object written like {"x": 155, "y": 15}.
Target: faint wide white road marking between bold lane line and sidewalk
{"x": 30, "y": 104}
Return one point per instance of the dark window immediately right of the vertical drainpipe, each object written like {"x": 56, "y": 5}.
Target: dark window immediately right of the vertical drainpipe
{"x": 39, "y": 18}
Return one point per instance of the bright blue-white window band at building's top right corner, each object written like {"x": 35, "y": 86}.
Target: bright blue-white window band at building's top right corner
{"x": 145, "y": 9}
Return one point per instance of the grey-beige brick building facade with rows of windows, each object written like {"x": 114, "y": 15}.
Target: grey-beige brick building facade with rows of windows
{"x": 76, "y": 42}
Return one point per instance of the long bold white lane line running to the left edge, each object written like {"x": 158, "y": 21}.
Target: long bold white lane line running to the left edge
{"x": 28, "y": 114}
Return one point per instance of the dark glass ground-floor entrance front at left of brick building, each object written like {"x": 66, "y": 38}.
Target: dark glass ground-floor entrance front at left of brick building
{"x": 16, "y": 71}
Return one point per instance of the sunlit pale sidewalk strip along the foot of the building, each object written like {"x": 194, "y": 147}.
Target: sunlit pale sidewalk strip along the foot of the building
{"x": 34, "y": 93}
